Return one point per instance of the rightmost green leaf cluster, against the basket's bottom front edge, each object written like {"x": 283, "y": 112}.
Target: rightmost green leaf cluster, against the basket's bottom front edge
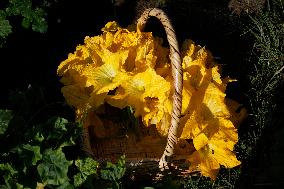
{"x": 114, "y": 172}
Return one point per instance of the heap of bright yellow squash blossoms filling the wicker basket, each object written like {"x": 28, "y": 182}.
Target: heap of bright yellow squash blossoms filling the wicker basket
{"x": 127, "y": 68}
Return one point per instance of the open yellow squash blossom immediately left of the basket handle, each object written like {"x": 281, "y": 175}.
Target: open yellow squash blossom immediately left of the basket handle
{"x": 146, "y": 93}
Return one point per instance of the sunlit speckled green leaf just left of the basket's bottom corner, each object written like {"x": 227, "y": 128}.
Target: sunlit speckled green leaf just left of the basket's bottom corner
{"x": 87, "y": 167}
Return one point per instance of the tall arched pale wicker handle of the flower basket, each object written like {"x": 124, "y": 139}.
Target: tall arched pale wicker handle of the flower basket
{"x": 177, "y": 78}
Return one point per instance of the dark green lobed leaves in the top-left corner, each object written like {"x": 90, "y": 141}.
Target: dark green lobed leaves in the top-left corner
{"x": 32, "y": 16}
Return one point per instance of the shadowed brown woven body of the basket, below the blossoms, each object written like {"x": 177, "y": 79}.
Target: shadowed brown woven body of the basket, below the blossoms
{"x": 109, "y": 138}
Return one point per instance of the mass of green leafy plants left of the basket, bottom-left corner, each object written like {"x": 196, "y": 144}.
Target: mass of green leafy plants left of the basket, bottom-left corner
{"x": 46, "y": 153}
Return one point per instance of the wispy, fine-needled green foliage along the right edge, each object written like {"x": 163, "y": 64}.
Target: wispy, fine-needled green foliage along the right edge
{"x": 266, "y": 75}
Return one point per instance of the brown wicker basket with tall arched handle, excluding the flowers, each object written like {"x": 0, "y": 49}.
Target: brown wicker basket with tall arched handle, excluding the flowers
{"x": 144, "y": 148}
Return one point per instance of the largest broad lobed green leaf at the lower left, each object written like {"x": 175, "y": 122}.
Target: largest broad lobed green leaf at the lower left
{"x": 53, "y": 170}
